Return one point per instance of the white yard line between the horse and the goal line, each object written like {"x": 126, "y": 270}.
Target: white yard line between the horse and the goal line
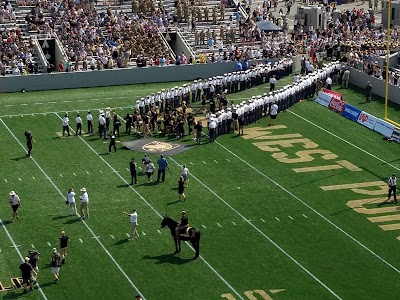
{"x": 262, "y": 233}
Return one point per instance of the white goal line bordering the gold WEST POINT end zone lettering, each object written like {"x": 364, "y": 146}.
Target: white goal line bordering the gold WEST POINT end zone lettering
{"x": 311, "y": 208}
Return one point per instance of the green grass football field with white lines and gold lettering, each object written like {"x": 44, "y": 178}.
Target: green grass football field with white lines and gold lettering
{"x": 291, "y": 211}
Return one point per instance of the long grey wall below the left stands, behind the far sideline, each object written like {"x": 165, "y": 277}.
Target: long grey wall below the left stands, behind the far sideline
{"x": 56, "y": 81}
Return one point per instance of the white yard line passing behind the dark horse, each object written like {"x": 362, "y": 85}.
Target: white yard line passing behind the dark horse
{"x": 153, "y": 209}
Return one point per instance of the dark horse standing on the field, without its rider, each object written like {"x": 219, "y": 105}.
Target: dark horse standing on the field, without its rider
{"x": 193, "y": 235}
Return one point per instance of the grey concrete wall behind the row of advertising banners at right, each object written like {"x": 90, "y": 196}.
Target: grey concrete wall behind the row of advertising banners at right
{"x": 360, "y": 79}
